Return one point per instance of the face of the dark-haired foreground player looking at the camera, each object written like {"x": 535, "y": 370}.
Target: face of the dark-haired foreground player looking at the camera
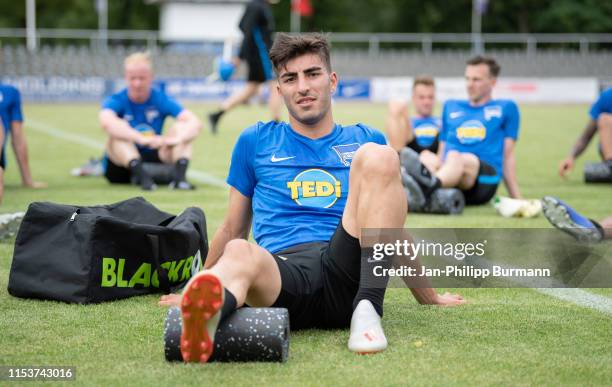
{"x": 307, "y": 86}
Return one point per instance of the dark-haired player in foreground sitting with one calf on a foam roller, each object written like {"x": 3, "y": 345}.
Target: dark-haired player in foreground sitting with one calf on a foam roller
{"x": 290, "y": 182}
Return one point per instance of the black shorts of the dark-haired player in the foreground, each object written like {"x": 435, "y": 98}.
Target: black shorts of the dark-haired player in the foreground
{"x": 319, "y": 281}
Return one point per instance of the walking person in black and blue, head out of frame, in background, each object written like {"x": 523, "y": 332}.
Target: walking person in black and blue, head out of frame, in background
{"x": 257, "y": 25}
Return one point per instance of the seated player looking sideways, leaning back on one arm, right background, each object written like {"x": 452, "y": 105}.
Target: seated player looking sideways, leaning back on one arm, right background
{"x": 477, "y": 140}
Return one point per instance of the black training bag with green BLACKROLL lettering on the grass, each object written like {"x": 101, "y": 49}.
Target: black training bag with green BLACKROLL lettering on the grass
{"x": 101, "y": 253}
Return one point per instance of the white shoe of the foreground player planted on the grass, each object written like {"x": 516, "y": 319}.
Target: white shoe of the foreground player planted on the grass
{"x": 367, "y": 335}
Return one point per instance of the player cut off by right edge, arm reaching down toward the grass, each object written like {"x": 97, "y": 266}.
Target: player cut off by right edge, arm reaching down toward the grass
{"x": 600, "y": 122}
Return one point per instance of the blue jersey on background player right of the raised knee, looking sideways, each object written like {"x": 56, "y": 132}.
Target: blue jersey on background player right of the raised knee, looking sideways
{"x": 480, "y": 130}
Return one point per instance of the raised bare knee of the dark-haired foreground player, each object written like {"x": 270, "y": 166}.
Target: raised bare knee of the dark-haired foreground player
{"x": 378, "y": 161}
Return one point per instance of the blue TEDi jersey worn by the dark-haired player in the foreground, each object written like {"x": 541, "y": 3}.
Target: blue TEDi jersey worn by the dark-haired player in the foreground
{"x": 298, "y": 185}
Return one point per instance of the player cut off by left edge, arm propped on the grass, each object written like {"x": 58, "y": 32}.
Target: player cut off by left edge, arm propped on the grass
{"x": 12, "y": 122}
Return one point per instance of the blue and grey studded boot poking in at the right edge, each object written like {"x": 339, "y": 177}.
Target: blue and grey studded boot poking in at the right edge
{"x": 566, "y": 219}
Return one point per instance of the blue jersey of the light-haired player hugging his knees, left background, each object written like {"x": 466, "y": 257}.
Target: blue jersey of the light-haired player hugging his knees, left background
{"x": 148, "y": 117}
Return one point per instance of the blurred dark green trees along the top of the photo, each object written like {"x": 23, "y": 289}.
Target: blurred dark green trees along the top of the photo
{"x": 525, "y": 16}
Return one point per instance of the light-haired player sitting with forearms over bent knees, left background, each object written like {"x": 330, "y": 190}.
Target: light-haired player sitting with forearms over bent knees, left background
{"x": 134, "y": 119}
